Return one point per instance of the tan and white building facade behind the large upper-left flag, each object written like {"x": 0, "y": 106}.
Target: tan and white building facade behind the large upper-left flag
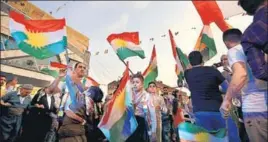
{"x": 14, "y": 62}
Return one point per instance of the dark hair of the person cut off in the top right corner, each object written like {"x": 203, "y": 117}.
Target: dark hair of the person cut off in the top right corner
{"x": 250, "y": 6}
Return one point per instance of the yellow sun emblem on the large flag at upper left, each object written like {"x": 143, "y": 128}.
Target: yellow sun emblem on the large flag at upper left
{"x": 36, "y": 40}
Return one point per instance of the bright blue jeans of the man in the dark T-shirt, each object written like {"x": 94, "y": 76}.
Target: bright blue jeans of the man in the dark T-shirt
{"x": 213, "y": 121}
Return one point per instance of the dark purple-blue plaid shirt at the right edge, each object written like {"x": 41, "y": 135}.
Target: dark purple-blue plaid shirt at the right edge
{"x": 254, "y": 40}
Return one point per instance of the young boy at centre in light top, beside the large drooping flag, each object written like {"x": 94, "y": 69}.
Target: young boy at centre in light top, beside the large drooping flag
{"x": 143, "y": 112}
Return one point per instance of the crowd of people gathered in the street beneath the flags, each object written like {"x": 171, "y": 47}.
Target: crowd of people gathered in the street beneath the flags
{"x": 235, "y": 99}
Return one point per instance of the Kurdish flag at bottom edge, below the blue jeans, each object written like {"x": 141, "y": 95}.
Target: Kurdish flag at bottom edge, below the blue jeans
{"x": 191, "y": 132}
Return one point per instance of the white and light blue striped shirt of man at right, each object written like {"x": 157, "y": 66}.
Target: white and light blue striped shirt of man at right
{"x": 254, "y": 92}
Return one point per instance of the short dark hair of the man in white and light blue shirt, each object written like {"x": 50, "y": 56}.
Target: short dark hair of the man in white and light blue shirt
{"x": 232, "y": 35}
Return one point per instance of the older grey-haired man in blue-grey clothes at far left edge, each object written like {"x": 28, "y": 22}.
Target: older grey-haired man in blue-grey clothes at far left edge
{"x": 16, "y": 103}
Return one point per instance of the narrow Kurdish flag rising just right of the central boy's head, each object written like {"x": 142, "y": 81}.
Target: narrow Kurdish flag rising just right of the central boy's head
{"x": 151, "y": 71}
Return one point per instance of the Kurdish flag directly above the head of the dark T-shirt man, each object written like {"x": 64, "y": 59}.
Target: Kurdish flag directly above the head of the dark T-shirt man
{"x": 206, "y": 44}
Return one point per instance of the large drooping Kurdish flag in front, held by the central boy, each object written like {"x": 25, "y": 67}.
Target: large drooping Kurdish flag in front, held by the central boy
{"x": 119, "y": 122}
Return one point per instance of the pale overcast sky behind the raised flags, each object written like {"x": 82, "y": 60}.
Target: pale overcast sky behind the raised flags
{"x": 151, "y": 19}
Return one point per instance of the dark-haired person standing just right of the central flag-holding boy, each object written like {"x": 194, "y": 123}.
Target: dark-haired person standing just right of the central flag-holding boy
{"x": 160, "y": 107}
